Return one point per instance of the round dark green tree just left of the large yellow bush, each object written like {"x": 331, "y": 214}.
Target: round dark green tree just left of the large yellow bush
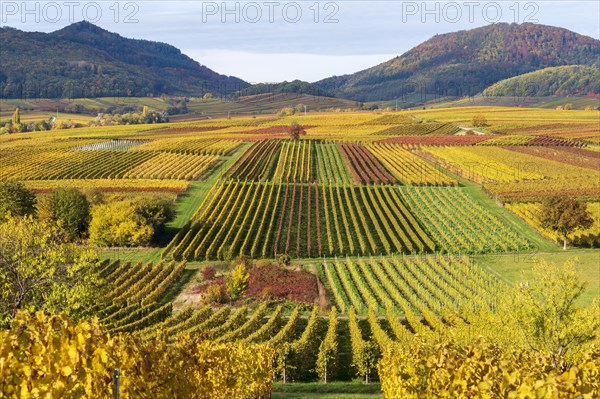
{"x": 71, "y": 209}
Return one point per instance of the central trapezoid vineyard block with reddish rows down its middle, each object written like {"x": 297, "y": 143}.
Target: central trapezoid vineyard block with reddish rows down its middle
{"x": 261, "y": 219}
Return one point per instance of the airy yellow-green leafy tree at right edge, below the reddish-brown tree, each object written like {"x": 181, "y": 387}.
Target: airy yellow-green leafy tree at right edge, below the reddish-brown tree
{"x": 545, "y": 311}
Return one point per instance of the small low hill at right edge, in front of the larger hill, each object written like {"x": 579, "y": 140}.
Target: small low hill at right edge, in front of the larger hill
{"x": 553, "y": 81}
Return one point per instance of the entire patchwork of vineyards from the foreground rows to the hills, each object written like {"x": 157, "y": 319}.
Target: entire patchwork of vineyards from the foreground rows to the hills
{"x": 381, "y": 214}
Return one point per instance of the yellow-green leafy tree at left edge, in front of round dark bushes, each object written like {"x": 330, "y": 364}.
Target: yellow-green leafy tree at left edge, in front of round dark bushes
{"x": 40, "y": 270}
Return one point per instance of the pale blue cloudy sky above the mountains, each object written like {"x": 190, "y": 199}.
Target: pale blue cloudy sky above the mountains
{"x": 272, "y": 41}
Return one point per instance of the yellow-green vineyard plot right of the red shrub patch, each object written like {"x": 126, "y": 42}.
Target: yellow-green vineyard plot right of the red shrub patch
{"x": 415, "y": 288}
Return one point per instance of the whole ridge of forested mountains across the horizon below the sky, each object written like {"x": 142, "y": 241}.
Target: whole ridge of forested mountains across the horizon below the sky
{"x": 84, "y": 60}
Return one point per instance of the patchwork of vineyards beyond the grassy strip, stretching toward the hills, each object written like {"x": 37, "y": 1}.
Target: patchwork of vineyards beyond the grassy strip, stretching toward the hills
{"x": 356, "y": 184}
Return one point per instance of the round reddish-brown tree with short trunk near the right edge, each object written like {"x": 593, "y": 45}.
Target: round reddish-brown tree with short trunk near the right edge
{"x": 564, "y": 215}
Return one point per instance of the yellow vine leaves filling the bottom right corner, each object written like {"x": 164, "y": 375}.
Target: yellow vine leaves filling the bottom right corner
{"x": 482, "y": 370}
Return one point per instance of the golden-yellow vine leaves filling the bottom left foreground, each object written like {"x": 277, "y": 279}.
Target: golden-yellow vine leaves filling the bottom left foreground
{"x": 49, "y": 356}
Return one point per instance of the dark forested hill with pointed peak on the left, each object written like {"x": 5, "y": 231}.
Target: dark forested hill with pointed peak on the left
{"x": 83, "y": 60}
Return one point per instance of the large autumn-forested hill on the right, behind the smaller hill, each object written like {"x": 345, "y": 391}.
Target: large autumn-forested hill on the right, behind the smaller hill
{"x": 466, "y": 62}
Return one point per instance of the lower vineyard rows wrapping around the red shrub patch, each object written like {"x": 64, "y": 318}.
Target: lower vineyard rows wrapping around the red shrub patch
{"x": 395, "y": 298}
